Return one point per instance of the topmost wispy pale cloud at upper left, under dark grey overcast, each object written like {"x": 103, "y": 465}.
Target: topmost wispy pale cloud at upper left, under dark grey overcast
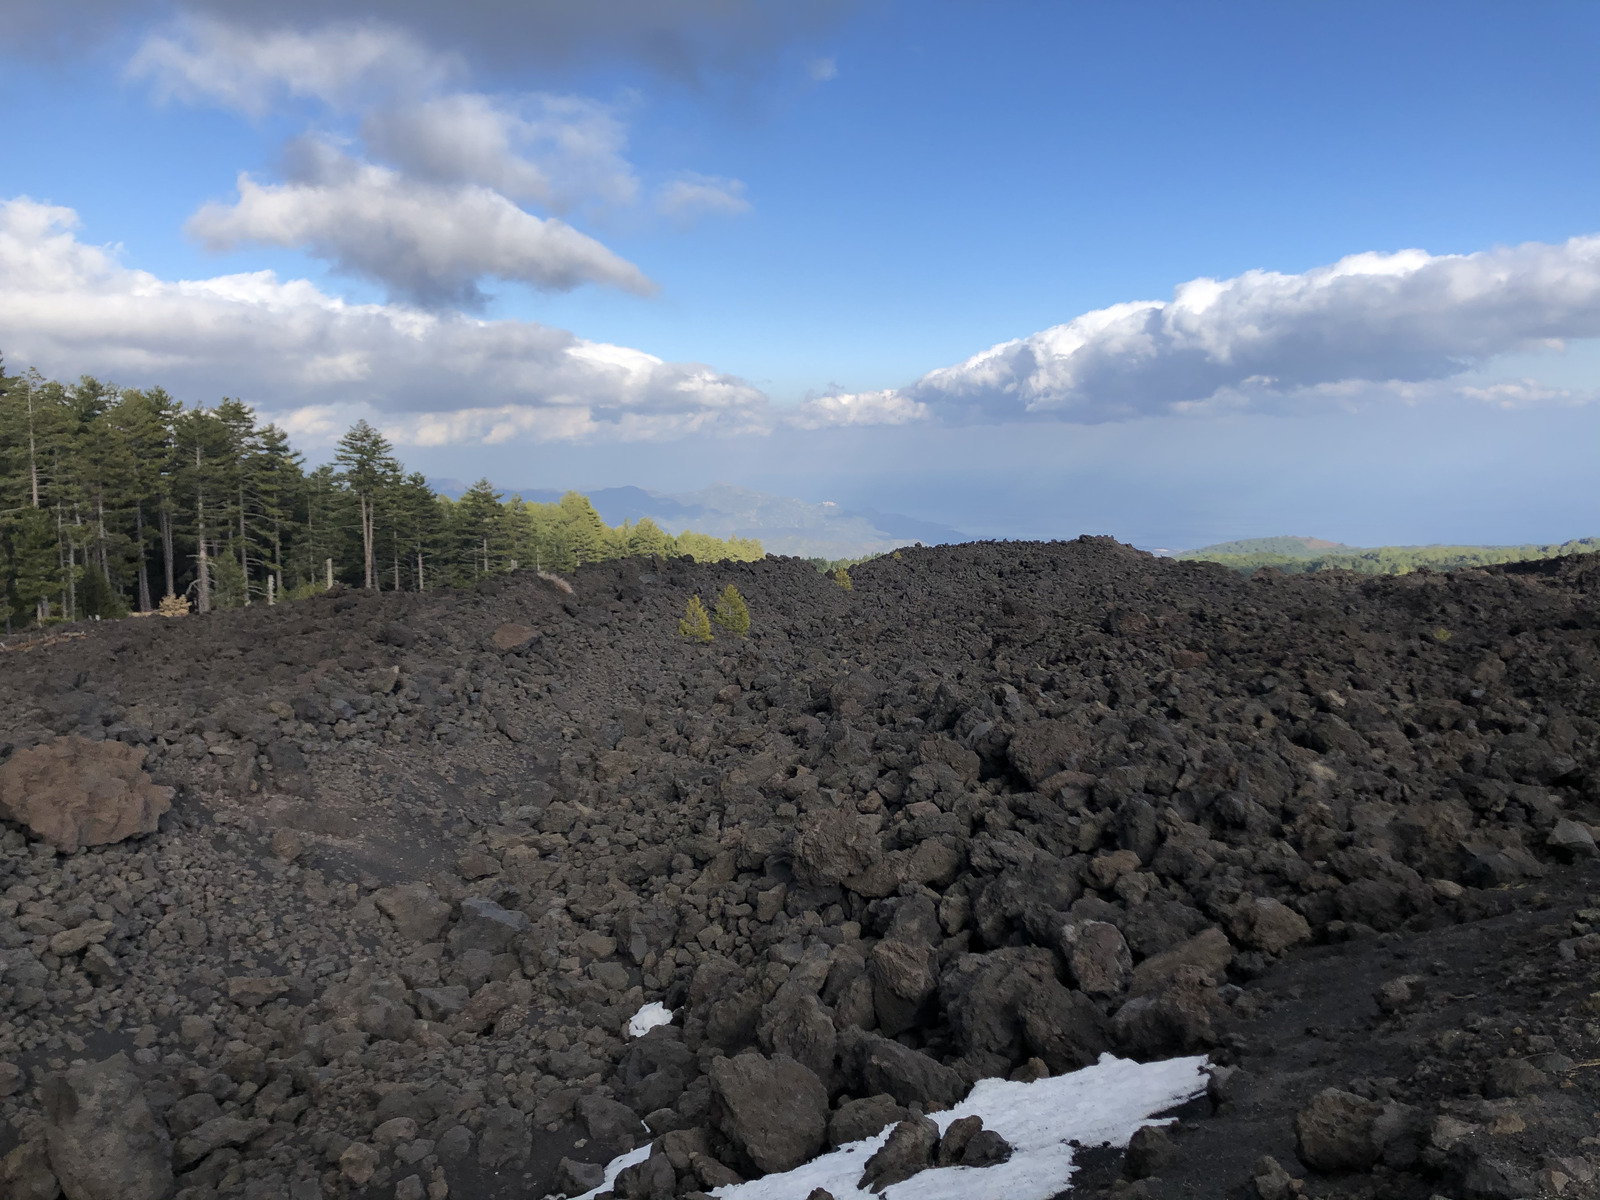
{"x": 252, "y": 70}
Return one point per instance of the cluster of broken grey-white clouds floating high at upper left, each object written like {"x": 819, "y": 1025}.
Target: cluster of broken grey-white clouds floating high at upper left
{"x": 438, "y": 201}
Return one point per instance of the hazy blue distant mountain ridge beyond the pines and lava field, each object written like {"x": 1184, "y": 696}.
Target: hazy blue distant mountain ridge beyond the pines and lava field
{"x": 785, "y": 526}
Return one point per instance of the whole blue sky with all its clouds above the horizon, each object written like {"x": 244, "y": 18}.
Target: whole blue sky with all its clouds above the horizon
{"x": 799, "y": 212}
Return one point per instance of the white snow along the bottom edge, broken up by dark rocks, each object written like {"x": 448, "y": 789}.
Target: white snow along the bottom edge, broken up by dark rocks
{"x": 1098, "y": 1106}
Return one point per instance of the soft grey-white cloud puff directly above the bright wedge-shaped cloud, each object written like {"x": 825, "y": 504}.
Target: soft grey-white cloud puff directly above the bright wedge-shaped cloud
{"x": 556, "y": 151}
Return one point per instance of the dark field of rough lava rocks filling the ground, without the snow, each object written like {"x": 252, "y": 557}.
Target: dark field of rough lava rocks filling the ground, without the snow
{"x": 991, "y": 812}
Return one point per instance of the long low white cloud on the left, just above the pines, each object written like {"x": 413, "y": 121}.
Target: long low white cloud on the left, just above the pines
{"x": 292, "y": 350}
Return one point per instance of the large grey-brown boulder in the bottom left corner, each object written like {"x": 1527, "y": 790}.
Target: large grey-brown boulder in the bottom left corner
{"x": 105, "y": 1142}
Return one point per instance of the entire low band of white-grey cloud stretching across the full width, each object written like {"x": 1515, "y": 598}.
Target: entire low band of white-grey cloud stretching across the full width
{"x": 1372, "y": 329}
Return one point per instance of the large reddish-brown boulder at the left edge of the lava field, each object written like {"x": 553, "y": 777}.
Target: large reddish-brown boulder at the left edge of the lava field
{"x": 74, "y": 793}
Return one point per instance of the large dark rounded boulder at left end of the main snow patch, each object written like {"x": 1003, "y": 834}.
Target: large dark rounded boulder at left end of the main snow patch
{"x": 774, "y": 1111}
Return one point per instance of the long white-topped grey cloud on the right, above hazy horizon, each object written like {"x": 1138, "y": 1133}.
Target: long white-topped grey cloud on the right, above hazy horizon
{"x": 1270, "y": 340}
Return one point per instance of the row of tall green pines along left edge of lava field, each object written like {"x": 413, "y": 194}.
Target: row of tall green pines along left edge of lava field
{"x": 113, "y": 498}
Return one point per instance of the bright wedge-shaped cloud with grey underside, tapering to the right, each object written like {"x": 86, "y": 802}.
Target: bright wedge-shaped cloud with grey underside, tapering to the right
{"x": 426, "y": 242}
